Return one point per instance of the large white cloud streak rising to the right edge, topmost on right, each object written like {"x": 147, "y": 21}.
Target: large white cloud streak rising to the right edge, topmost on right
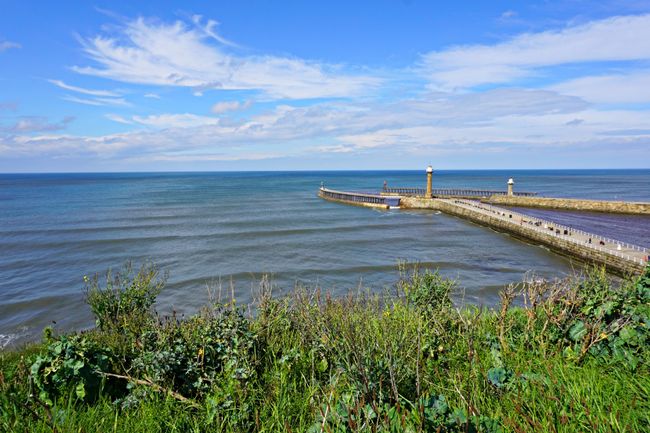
{"x": 625, "y": 38}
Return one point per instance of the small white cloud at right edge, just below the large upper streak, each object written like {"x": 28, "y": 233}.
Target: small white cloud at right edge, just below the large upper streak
{"x": 632, "y": 87}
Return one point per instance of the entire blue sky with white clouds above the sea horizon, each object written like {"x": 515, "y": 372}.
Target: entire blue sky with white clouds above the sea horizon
{"x": 109, "y": 86}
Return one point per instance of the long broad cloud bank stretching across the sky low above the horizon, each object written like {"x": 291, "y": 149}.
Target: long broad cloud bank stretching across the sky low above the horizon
{"x": 511, "y": 117}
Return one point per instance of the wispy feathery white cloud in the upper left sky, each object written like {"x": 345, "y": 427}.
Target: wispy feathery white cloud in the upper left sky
{"x": 148, "y": 52}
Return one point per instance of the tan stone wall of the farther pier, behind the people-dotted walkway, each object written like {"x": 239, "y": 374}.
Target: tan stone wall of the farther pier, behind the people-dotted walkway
{"x": 623, "y": 207}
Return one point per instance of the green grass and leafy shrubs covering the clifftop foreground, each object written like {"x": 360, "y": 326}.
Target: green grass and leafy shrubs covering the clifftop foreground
{"x": 573, "y": 359}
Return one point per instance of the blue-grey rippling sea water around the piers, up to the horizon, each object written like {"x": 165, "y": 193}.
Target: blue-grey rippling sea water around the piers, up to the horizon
{"x": 207, "y": 229}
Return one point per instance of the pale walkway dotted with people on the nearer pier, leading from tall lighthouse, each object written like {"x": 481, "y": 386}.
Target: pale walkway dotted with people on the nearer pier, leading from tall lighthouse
{"x": 633, "y": 254}
